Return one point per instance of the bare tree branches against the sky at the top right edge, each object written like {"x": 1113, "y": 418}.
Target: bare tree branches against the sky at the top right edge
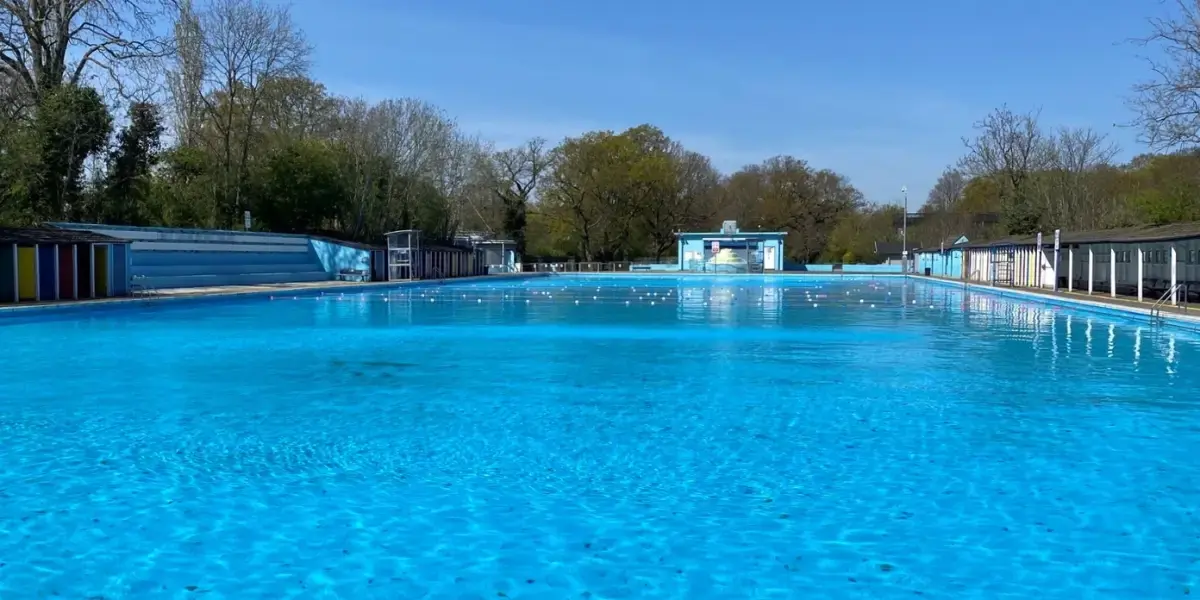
{"x": 1168, "y": 106}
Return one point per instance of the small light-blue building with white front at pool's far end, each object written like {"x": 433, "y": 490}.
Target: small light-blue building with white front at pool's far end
{"x": 731, "y": 251}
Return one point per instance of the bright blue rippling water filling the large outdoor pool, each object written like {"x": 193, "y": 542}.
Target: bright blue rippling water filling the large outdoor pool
{"x": 621, "y": 437}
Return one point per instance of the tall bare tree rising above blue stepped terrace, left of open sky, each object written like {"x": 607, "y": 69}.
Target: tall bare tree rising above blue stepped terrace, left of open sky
{"x": 245, "y": 44}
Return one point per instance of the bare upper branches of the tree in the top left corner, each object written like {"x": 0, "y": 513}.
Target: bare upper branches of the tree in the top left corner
{"x": 46, "y": 44}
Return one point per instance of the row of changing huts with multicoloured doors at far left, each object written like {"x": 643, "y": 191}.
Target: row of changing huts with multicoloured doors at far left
{"x": 44, "y": 265}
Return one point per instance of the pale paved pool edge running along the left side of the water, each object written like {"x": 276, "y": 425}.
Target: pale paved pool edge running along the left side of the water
{"x": 179, "y": 297}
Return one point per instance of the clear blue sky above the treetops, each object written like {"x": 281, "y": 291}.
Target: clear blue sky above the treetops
{"x": 879, "y": 91}
